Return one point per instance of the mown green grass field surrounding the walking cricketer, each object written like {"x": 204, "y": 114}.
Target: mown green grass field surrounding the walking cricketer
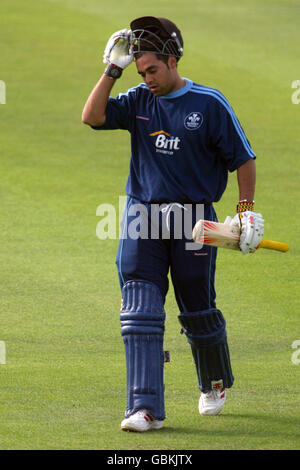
{"x": 63, "y": 383}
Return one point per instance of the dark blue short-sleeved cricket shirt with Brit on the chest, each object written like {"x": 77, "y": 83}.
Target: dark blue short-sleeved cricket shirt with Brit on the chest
{"x": 182, "y": 144}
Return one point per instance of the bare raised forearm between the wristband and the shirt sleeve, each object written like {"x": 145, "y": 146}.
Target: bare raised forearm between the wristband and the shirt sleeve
{"x": 94, "y": 109}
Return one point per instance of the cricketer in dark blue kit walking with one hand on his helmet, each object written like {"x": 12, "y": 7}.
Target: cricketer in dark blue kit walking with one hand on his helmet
{"x": 185, "y": 138}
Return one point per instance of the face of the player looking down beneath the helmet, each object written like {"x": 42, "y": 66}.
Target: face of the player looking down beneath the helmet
{"x": 160, "y": 78}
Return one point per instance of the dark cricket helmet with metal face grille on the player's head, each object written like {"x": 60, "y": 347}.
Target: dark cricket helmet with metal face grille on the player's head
{"x": 158, "y": 35}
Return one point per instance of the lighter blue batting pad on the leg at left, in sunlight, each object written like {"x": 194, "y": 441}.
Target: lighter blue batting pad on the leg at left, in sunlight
{"x": 142, "y": 327}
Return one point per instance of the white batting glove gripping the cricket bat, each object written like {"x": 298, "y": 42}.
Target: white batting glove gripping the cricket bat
{"x": 251, "y": 225}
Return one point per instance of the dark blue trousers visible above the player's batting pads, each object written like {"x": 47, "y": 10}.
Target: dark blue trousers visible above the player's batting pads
{"x": 142, "y": 257}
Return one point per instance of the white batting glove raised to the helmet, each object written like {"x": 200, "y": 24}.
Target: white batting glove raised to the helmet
{"x": 117, "y": 50}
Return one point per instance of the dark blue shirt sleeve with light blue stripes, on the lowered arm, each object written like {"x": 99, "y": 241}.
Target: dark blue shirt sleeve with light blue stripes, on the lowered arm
{"x": 228, "y": 136}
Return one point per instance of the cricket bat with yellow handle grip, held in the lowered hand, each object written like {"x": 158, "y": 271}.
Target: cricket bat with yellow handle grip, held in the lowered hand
{"x": 227, "y": 236}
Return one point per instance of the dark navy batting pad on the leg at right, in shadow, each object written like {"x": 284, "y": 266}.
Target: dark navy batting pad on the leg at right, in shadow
{"x": 206, "y": 333}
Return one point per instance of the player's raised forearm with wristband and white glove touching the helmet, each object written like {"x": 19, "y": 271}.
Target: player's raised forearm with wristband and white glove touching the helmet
{"x": 118, "y": 56}
